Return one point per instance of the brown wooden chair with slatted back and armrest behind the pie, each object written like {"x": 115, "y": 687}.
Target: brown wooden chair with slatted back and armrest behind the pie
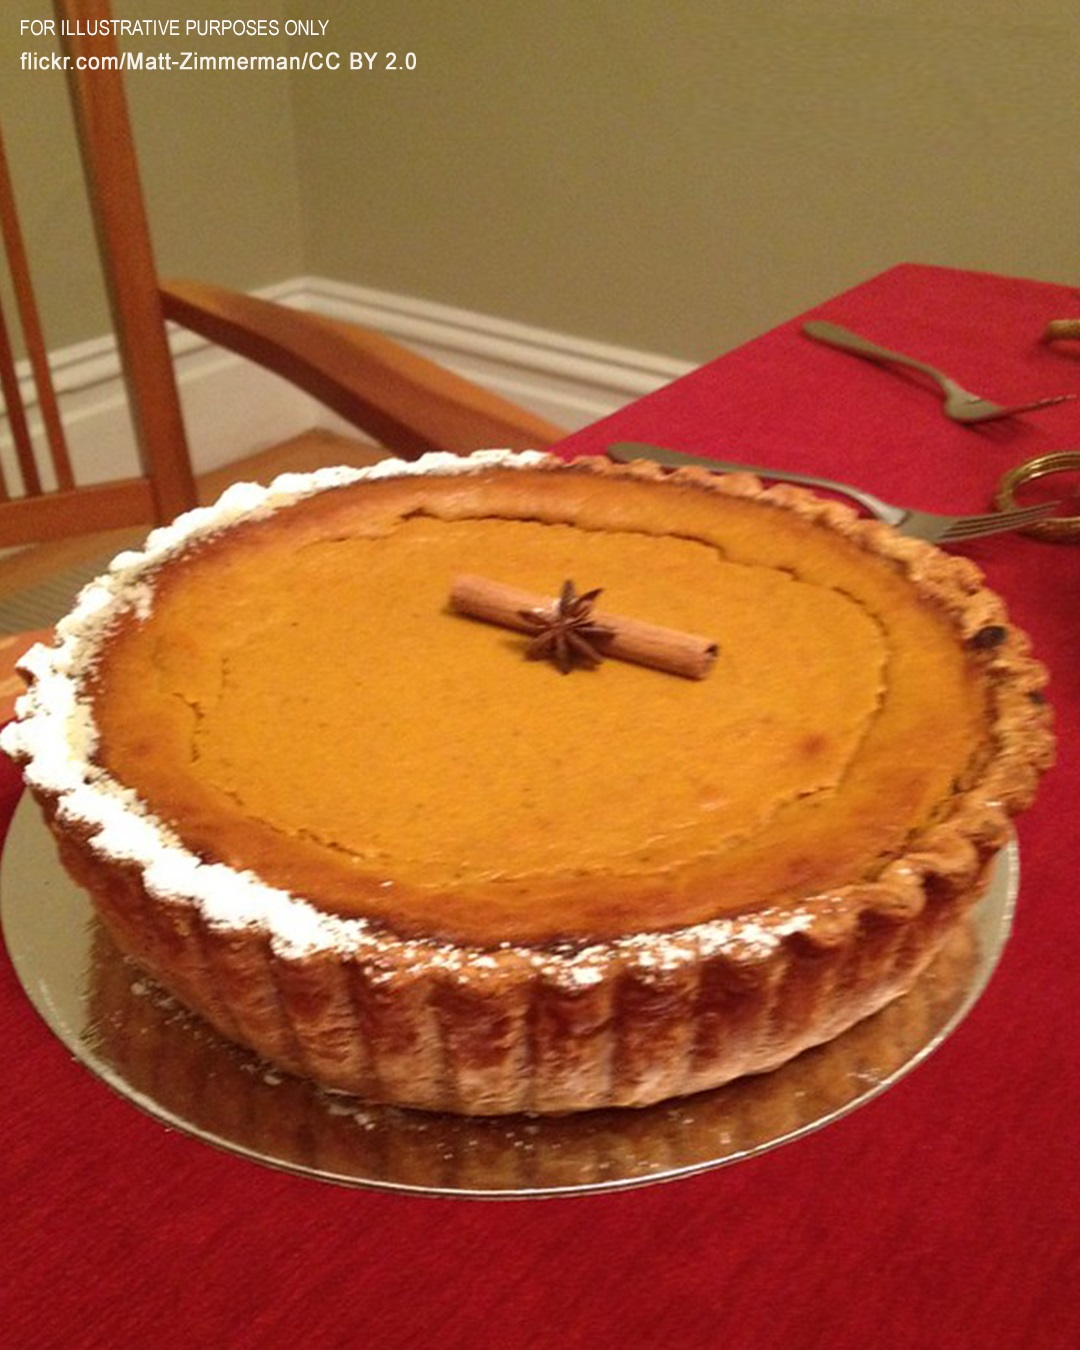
{"x": 403, "y": 402}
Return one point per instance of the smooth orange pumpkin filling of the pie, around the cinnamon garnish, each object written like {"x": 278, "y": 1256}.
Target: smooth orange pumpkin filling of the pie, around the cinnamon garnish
{"x": 342, "y": 732}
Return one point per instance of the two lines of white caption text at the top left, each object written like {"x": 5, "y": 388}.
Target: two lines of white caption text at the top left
{"x": 133, "y": 59}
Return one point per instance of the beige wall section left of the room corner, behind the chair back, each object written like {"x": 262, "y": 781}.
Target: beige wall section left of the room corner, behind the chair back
{"x": 219, "y": 164}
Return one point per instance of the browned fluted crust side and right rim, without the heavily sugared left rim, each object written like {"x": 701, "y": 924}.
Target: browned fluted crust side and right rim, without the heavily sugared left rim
{"x": 632, "y": 1023}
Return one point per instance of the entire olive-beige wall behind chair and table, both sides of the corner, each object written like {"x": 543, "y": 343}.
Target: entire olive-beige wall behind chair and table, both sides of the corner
{"x": 669, "y": 176}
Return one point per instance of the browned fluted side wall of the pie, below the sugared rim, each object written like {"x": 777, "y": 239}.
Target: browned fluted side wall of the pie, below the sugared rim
{"x": 507, "y": 1037}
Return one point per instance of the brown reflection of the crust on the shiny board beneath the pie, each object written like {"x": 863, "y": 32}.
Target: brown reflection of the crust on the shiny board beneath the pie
{"x": 203, "y": 1081}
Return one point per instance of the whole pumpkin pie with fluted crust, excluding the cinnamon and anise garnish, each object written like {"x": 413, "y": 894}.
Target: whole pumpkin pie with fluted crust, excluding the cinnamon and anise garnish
{"x": 753, "y": 865}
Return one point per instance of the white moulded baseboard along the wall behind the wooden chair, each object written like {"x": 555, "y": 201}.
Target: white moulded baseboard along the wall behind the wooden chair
{"x": 234, "y": 408}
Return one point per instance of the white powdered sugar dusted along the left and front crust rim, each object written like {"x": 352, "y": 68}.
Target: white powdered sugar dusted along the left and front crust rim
{"x": 55, "y": 740}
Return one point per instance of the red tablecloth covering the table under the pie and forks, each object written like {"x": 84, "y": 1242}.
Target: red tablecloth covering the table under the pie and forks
{"x": 942, "y": 1214}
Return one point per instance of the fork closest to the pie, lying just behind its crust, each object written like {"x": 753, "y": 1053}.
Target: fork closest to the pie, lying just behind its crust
{"x": 916, "y": 524}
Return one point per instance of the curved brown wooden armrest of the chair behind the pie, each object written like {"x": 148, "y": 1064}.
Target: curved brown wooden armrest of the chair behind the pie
{"x": 400, "y": 399}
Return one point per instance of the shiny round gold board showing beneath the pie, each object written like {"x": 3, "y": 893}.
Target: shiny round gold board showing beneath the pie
{"x": 168, "y": 1063}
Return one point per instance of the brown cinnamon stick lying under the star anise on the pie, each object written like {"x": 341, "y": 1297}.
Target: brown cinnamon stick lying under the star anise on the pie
{"x": 631, "y": 641}
